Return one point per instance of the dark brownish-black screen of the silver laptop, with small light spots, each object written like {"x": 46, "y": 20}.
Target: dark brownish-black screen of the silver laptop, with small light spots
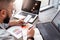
{"x": 31, "y": 6}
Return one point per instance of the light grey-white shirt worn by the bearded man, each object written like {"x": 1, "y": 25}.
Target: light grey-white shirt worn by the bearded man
{"x": 4, "y": 35}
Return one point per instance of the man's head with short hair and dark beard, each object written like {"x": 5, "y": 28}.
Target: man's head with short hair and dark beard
{"x": 6, "y": 7}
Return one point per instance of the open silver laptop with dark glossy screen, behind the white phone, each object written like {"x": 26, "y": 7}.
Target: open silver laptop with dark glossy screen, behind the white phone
{"x": 30, "y": 7}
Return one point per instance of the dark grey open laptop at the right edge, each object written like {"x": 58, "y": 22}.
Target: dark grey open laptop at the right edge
{"x": 50, "y": 30}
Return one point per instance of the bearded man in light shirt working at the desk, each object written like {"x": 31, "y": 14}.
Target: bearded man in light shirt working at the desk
{"x": 6, "y": 8}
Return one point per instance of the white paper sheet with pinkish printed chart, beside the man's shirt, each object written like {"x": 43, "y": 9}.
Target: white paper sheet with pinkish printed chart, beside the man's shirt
{"x": 16, "y": 31}
